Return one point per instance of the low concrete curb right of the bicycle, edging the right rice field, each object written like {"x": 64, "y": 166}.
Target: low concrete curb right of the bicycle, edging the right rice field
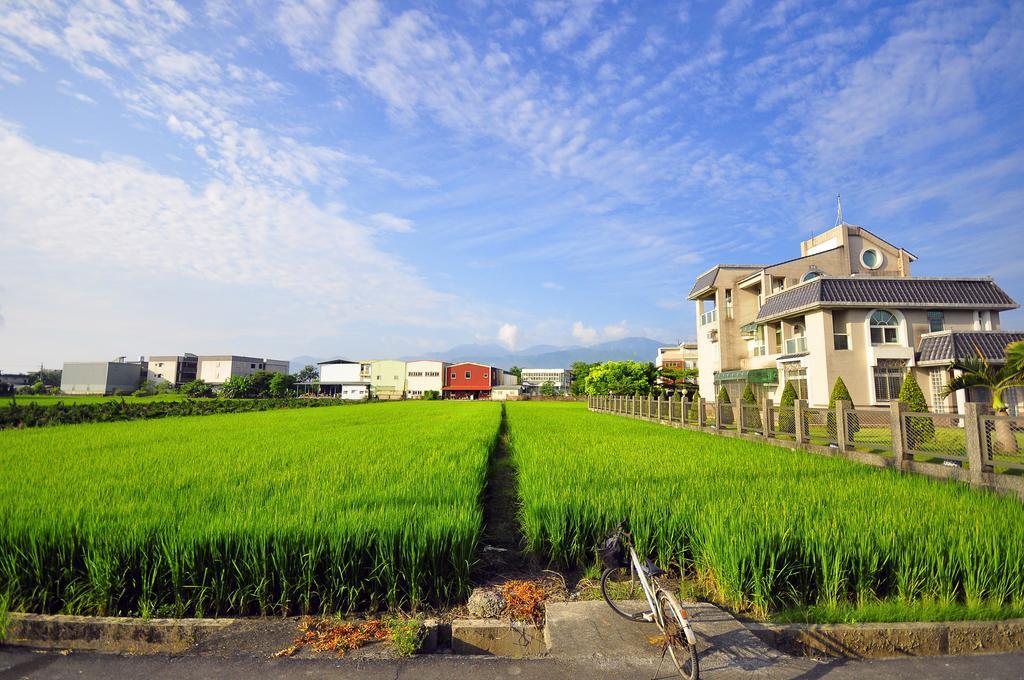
{"x": 895, "y": 640}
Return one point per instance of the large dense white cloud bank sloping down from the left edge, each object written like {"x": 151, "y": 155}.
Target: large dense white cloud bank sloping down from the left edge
{"x": 117, "y": 217}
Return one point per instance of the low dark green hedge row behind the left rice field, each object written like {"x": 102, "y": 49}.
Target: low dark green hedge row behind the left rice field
{"x": 33, "y": 415}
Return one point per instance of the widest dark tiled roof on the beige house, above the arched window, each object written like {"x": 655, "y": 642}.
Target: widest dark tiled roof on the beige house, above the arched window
{"x": 868, "y": 291}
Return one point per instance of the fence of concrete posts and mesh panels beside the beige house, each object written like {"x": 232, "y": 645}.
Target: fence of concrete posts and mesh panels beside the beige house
{"x": 976, "y": 447}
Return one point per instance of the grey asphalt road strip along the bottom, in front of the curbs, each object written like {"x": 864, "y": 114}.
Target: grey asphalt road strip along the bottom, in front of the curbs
{"x": 18, "y": 664}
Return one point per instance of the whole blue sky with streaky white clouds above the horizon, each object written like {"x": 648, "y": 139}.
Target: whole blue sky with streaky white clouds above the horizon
{"x": 369, "y": 179}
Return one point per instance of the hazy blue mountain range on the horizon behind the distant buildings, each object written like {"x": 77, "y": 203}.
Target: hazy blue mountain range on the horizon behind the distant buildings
{"x": 538, "y": 357}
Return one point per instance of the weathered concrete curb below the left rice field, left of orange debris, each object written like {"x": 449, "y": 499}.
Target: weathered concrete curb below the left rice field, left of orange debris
{"x": 110, "y": 633}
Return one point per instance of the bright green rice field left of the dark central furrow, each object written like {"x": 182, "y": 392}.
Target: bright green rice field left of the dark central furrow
{"x": 318, "y": 511}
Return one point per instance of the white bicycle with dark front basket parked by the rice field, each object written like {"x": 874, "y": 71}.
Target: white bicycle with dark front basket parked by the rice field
{"x": 625, "y": 578}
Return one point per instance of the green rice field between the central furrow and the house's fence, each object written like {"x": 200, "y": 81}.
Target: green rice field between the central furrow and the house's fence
{"x": 767, "y": 530}
